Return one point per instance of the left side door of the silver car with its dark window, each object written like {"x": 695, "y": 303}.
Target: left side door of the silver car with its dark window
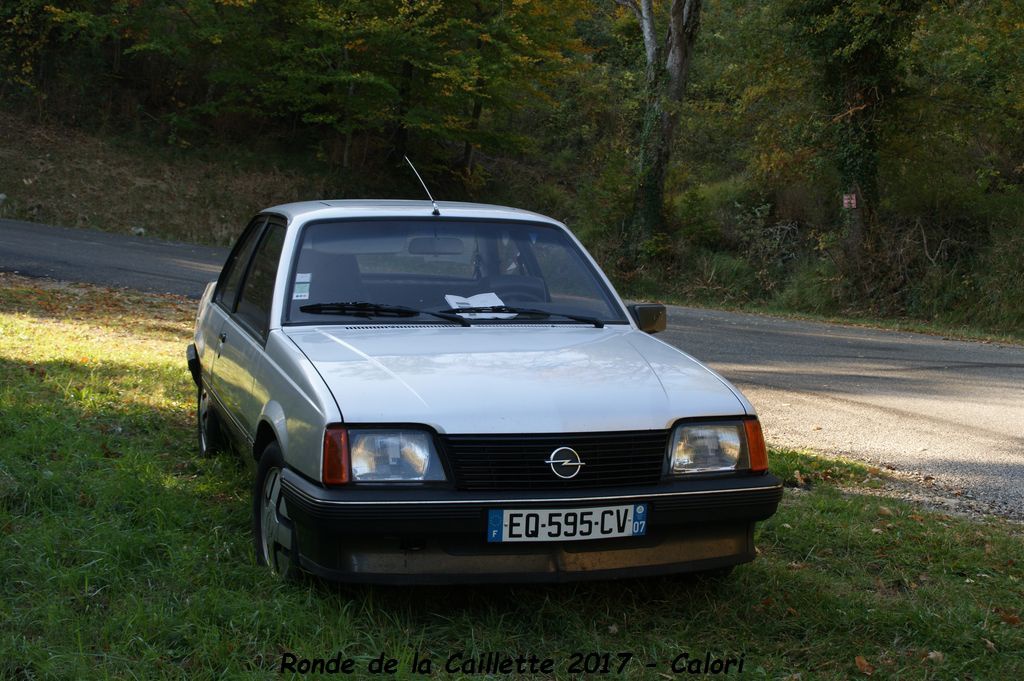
{"x": 244, "y": 332}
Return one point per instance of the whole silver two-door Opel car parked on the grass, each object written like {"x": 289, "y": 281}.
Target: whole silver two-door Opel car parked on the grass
{"x": 456, "y": 394}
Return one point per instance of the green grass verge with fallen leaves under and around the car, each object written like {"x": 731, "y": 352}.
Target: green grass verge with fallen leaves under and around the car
{"x": 124, "y": 556}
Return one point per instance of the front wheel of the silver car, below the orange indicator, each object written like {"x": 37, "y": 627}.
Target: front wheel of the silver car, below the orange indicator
{"x": 273, "y": 533}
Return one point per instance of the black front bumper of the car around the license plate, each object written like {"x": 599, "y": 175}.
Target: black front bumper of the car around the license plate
{"x": 440, "y": 536}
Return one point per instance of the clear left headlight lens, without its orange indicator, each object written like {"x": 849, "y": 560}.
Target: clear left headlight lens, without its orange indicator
{"x": 394, "y": 456}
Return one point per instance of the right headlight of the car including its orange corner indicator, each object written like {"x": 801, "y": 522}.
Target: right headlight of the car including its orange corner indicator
{"x": 709, "y": 448}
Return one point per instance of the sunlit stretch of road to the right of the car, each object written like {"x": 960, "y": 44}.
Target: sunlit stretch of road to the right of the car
{"x": 947, "y": 416}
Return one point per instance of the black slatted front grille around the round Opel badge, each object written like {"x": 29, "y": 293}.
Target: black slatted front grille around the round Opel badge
{"x": 517, "y": 462}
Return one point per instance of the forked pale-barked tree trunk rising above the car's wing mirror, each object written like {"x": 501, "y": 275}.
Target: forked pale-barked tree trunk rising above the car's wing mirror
{"x": 666, "y": 76}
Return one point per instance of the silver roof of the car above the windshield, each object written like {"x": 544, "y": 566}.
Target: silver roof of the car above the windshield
{"x": 375, "y": 208}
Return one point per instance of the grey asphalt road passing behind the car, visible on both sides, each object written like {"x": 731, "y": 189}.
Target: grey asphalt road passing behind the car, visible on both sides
{"x": 952, "y": 411}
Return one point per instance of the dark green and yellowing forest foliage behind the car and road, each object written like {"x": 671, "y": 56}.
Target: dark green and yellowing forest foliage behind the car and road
{"x": 913, "y": 107}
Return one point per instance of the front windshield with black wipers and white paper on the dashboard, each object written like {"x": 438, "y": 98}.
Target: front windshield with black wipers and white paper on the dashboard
{"x": 437, "y": 266}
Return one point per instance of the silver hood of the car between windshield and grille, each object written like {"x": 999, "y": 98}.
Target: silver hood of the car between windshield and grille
{"x": 499, "y": 379}
